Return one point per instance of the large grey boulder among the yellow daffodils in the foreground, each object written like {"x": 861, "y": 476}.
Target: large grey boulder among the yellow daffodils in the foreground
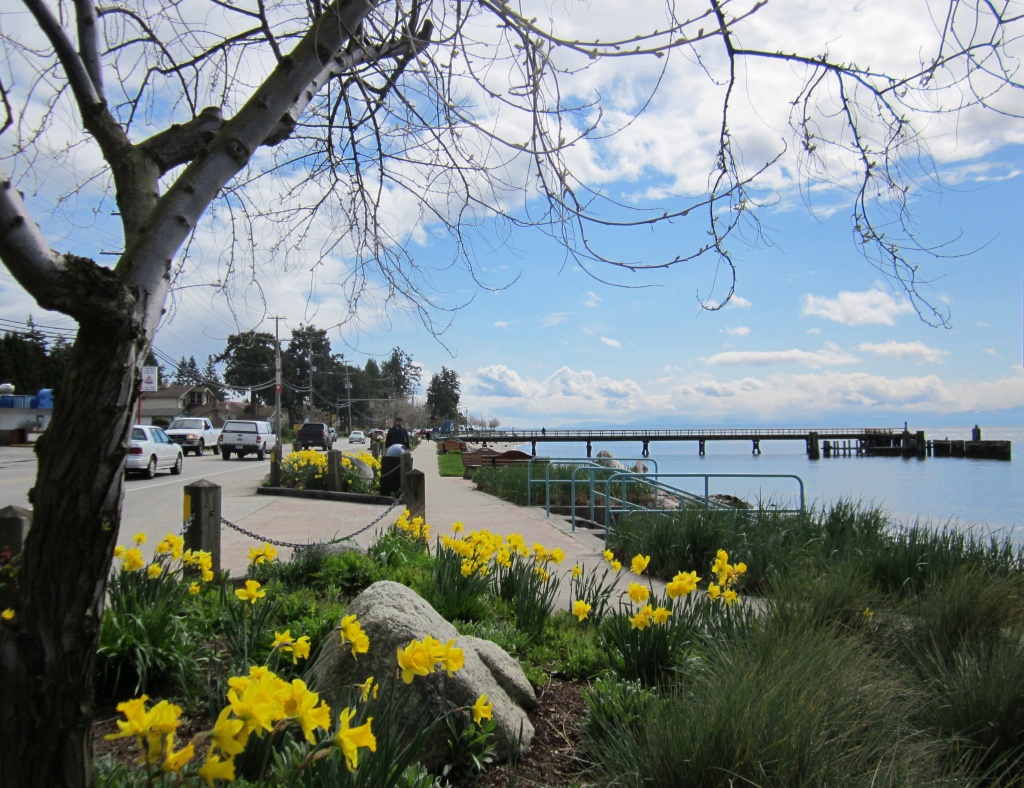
{"x": 393, "y": 616}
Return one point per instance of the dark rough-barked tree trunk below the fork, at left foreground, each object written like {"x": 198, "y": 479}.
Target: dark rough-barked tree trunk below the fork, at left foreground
{"x": 48, "y": 655}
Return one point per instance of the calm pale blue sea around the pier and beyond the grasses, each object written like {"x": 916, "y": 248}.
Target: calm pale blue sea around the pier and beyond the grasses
{"x": 987, "y": 496}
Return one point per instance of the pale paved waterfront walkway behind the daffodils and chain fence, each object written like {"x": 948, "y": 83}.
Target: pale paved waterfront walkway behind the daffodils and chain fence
{"x": 449, "y": 501}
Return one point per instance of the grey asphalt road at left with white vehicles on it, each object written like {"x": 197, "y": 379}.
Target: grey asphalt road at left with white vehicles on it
{"x": 153, "y": 506}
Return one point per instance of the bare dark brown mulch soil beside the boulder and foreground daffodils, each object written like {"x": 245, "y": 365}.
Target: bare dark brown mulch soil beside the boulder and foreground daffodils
{"x": 552, "y": 762}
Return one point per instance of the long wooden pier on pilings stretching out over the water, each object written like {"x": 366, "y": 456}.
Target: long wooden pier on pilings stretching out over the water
{"x": 820, "y": 443}
